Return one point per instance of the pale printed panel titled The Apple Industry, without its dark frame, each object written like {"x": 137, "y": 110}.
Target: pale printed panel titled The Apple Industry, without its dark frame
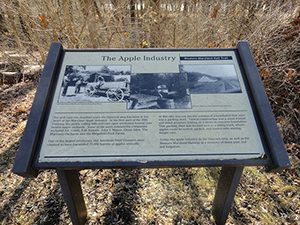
{"x": 139, "y": 106}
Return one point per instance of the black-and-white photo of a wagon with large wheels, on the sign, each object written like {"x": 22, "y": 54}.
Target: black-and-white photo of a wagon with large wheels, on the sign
{"x": 95, "y": 84}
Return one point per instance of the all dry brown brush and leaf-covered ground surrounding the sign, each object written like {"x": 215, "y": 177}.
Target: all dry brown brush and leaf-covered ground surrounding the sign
{"x": 151, "y": 196}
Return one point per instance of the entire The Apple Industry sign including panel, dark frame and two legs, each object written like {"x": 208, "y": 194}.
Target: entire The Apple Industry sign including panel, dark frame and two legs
{"x": 150, "y": 108}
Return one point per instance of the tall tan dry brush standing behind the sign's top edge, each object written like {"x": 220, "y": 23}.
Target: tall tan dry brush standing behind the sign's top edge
{"x": 32, "y": 25}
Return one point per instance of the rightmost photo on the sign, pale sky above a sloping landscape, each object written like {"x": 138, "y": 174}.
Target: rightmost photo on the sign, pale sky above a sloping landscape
{"x": 211, "y": 79}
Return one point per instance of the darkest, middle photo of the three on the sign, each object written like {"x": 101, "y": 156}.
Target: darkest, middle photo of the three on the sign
{"x": 159, "y": 91}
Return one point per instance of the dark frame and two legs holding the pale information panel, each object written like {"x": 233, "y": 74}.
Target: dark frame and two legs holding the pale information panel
{"x": 27, "y": 161}
